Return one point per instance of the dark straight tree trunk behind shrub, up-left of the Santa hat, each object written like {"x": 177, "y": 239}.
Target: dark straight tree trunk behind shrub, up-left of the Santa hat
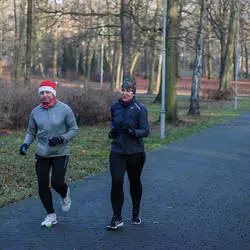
{"x": 27, "y": 74}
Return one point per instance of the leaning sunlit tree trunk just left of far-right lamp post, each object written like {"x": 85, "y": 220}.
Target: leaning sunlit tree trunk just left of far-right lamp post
{"x": 226, "y": 78}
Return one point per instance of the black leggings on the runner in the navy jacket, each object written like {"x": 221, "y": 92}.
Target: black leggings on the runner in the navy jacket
{"x": 118, "y": 165}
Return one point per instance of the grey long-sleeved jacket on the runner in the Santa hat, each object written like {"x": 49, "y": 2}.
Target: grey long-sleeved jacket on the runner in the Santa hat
{"x": 44, "y": 124}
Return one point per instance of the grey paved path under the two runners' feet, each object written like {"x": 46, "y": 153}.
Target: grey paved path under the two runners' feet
{"x": 196, "y": 196}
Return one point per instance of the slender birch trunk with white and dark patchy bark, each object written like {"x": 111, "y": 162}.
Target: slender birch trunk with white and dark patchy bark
{"x": 194, "y": 107}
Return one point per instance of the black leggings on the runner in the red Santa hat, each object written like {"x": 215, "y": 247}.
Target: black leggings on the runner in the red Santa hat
{"x": 59, "y": 166}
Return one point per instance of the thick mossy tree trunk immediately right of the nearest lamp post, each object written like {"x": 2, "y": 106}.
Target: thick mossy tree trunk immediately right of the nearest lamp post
{"x": 171, "y": 61}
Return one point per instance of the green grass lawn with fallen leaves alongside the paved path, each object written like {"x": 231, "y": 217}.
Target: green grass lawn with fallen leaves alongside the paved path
{"x": 90, "y": 150}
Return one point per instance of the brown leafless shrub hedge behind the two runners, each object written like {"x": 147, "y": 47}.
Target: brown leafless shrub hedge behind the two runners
{"x": 90, "y": 107}
